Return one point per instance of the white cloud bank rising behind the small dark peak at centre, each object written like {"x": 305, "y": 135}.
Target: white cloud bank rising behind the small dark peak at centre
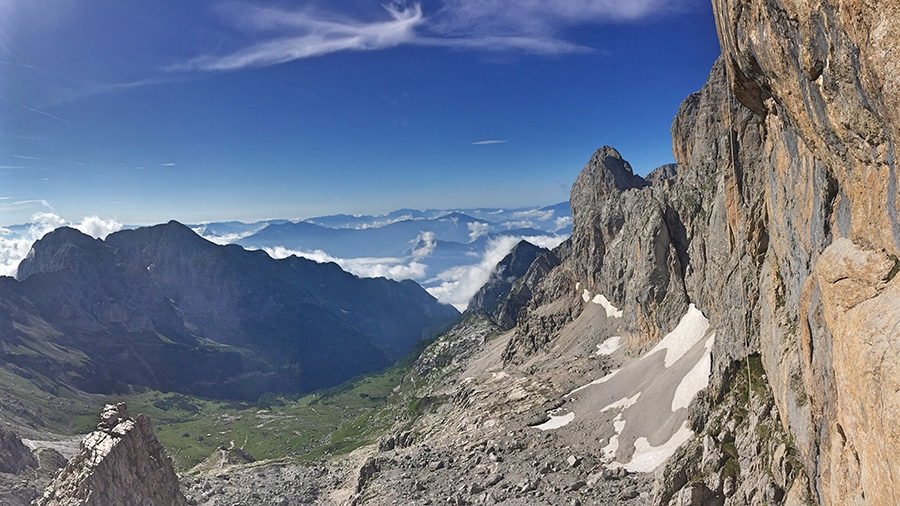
{"x": 459, "y": 284}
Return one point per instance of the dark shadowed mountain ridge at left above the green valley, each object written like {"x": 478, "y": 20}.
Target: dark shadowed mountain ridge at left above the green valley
{"x": 160, "y": 307}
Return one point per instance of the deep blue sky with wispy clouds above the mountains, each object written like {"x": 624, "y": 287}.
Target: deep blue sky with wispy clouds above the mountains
{"x": 214, "y": 110}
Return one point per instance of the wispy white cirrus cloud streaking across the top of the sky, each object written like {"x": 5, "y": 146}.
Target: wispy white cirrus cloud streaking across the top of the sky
{"x": 528, "y": 26}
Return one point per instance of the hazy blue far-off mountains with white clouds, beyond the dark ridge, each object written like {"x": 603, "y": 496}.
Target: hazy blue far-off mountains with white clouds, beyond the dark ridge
{"x": 449, "y": 252}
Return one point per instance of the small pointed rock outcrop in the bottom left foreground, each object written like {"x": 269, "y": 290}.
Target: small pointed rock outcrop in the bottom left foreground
{"x": 121, "y": 462}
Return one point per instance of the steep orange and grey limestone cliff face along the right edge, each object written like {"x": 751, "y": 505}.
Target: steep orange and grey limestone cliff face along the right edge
{"x": 823, "y": 80}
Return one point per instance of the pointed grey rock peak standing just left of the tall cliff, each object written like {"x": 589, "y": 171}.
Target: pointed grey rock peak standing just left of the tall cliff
{"x": 624, "y": 246}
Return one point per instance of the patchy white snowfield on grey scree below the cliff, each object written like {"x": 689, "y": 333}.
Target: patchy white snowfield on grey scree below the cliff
{"x": 640, "y": 410}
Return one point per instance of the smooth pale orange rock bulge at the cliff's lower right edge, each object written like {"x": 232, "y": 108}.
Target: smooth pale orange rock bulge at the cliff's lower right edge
{"x": 861, "y": 309}
